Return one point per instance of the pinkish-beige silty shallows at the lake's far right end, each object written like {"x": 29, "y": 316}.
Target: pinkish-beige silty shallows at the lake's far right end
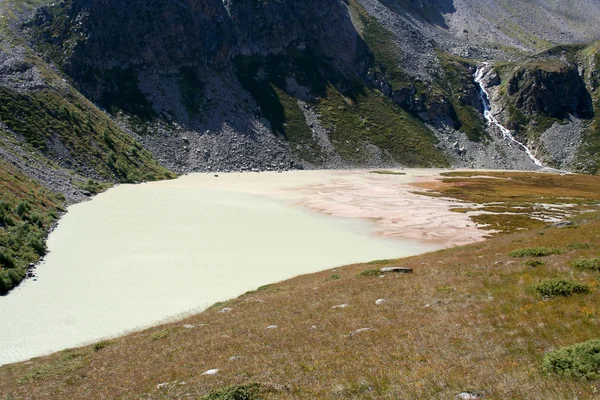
{"x": 388, "y": 201}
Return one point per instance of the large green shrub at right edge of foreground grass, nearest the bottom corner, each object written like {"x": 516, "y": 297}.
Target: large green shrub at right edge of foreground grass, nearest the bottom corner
{"x": 579, "y": 361}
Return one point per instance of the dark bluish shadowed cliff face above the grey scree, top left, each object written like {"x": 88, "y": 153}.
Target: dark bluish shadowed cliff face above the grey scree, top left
{"x": 168, "y": 35}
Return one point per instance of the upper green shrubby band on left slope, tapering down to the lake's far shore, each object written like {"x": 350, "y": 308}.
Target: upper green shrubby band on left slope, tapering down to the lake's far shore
{"x": 90, "y": 137}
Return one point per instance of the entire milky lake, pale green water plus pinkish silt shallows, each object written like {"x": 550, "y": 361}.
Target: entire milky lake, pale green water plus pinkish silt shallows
{"x": 138, "y": 255}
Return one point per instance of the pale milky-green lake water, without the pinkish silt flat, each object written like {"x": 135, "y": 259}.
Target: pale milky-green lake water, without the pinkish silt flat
{"x": 137, "y": 255}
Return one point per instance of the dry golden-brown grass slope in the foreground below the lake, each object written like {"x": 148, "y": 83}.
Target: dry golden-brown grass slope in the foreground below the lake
{"x": 465, "y": 320}
